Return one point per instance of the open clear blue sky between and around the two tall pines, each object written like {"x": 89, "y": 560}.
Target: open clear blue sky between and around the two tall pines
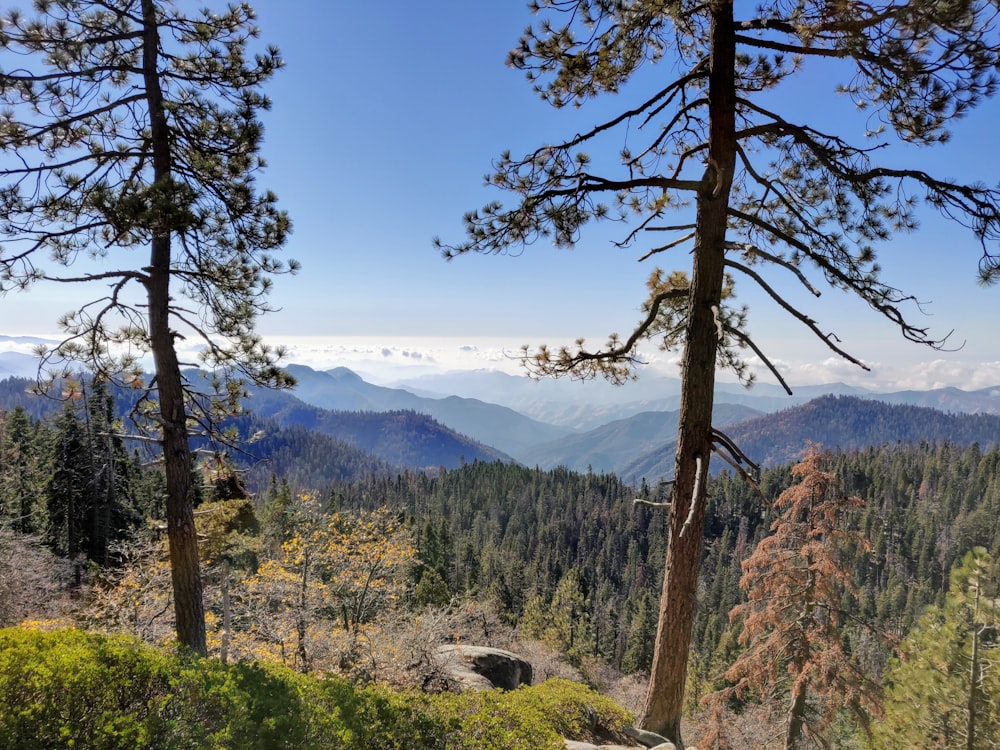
{"x": 385, "y": 120}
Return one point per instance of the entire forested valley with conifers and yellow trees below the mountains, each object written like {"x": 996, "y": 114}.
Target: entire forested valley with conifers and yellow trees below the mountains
{"x": 365, "y": 575}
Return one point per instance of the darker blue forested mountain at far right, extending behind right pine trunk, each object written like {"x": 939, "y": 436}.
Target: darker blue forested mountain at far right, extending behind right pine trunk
{"x": 835, "y": 422}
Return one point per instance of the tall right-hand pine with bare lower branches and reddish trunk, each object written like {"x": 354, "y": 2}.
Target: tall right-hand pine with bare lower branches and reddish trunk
{"x": 756, "y": 195}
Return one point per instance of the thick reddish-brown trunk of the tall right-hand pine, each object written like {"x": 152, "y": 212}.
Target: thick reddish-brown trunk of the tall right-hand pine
{"x": 665, "y": 698}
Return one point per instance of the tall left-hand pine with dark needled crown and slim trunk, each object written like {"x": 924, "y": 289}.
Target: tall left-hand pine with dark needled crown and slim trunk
{"x": 134, "y": 124}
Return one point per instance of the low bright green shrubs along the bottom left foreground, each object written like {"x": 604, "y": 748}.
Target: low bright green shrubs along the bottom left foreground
{"x": 68, "y": 689}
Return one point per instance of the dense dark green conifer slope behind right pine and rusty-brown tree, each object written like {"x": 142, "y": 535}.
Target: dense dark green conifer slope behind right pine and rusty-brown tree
{"x": 520, "y": 536}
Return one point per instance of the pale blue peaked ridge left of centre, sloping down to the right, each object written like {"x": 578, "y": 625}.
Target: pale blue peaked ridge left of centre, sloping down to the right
{"x": 497, "y": 426}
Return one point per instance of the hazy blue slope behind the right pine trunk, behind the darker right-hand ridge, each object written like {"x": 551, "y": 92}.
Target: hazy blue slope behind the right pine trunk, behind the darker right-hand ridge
{"x": 617, "y": 444}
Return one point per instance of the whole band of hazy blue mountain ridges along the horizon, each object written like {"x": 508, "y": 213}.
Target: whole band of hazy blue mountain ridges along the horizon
{"x": 593, "y": 427}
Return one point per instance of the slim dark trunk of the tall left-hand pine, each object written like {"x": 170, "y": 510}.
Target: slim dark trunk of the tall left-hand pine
{"x": 184, "y": 565}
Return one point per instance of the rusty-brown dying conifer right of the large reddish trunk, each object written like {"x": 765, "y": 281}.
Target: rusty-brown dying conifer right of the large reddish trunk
{"x": 800, "y": 597}
